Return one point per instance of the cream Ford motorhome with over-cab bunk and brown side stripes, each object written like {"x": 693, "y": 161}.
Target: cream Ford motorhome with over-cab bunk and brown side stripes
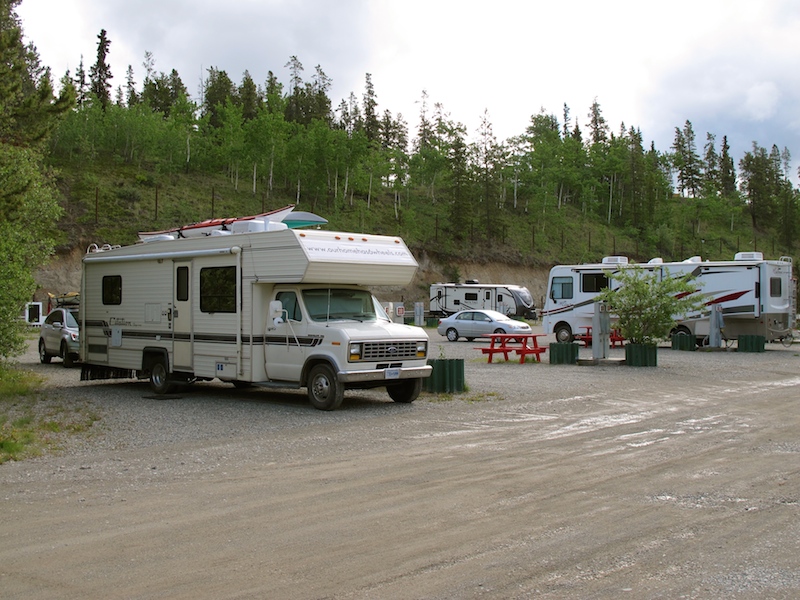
{"x": 281, "y": 308}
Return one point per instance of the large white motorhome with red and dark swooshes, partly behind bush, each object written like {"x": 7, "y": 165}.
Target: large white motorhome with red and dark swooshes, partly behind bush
{"x": 756, "y": 296}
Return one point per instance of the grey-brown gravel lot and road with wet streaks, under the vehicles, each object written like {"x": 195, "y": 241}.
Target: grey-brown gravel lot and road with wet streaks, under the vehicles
{"x": 540, "y": 481}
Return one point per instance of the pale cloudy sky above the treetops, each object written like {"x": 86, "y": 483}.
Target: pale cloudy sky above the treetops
{"x": 731, "y": 67}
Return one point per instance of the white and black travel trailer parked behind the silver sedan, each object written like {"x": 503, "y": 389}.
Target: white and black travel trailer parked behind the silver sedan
{"x": 511, "y": 300}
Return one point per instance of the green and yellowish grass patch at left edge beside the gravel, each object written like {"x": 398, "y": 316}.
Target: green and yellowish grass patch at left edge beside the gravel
{"x": 33, "y": 422}
